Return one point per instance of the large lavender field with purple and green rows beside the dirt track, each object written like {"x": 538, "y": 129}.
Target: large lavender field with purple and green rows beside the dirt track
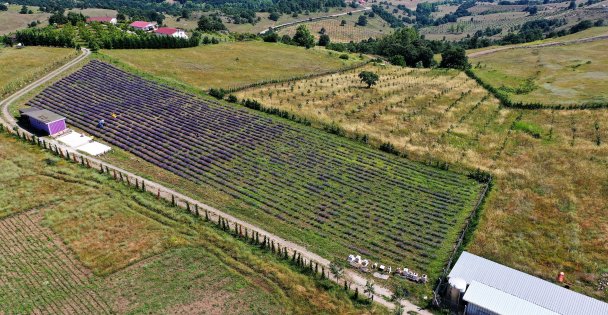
{"x": 320, "y": 190}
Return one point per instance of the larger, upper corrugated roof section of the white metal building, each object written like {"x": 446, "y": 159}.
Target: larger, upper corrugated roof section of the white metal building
{"x": 526, "y": 287}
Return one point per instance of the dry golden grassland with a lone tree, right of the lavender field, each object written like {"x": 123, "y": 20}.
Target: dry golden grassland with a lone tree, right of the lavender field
{"x": 547, "y": 211}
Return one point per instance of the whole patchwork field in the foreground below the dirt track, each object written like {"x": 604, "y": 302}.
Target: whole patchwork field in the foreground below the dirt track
{"x": 76, "y": 241}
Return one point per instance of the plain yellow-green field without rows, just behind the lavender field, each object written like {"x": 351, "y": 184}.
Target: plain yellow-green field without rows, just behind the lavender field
{"x": 229, "y": 65}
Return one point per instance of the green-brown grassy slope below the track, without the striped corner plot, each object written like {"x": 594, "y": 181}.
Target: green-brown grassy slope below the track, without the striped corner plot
{"x": 109, "y": 227}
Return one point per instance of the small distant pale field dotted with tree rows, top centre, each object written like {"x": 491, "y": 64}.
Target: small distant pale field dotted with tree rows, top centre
{"x": 376, "y": 27}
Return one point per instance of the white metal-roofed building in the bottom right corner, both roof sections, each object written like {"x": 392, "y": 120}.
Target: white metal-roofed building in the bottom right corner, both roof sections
{"x": 498, "y": 289}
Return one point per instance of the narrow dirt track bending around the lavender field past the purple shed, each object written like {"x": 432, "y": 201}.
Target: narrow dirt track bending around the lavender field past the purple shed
{"x": 357, "y": 281}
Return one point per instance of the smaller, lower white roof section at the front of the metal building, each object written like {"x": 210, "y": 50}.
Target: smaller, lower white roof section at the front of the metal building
{"x": 500, "y": 302}
